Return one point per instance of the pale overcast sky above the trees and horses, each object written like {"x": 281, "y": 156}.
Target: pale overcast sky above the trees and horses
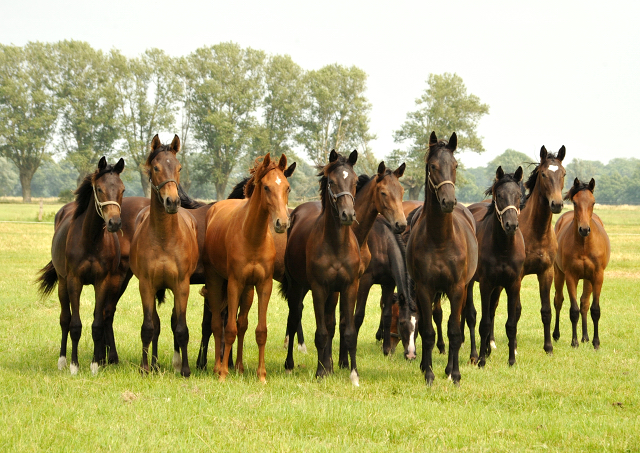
{"x": 553, "y": 73}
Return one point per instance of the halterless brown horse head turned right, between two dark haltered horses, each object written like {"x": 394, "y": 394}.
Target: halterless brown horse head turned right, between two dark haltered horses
{"x": 388, "y": 196}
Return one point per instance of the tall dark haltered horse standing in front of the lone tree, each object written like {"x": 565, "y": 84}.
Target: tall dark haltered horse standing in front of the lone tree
{"x": 442, "y": 253}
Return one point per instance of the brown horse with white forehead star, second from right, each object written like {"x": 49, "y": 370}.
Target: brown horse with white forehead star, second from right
{"x": 544, "y": 199}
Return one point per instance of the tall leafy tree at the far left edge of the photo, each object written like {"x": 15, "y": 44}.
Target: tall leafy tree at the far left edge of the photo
{"x": 28, "y": 108}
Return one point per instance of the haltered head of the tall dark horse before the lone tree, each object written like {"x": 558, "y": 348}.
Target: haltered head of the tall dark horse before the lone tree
{"x": 441, "y": 171}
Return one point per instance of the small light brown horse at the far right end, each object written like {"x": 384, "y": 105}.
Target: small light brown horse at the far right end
{"x": 583, "y": 253}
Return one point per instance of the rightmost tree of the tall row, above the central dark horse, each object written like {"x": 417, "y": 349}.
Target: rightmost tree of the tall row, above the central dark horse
{"x": 336, "y": 114}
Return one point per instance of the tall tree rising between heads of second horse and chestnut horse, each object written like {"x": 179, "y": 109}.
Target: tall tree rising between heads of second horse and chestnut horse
{"x": 227, "y": 86}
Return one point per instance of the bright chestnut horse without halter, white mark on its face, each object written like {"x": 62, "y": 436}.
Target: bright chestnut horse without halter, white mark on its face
{"x": 239, "y": 253}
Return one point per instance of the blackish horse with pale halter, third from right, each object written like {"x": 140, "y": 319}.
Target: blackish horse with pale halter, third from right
{"x": 501, "y": 255}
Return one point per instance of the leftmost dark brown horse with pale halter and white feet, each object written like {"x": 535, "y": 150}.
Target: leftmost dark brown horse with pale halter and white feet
{"x": 85, "y": 251}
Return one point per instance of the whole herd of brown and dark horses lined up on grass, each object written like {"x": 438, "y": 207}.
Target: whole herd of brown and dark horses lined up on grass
{"x": 359, "y": 234}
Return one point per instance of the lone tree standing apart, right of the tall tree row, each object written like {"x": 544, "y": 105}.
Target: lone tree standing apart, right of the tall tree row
{"x": 444, "y": 107}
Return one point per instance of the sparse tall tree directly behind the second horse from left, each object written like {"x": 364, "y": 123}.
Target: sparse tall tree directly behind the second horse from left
{"x": 148, "y": 91}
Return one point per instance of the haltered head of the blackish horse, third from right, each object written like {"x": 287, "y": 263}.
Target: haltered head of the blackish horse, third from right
{"x": 506, "y": 193}
